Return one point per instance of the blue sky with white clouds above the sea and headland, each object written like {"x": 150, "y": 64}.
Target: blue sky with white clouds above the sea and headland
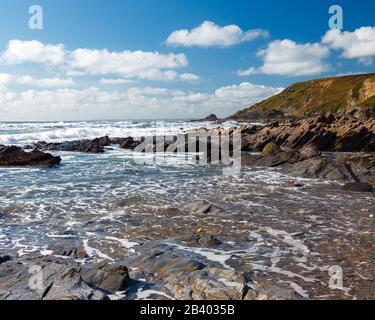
{"x": 170, "y": 59}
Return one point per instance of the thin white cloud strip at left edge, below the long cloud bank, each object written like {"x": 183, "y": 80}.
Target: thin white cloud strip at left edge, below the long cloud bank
{"x": 6, "y": 79}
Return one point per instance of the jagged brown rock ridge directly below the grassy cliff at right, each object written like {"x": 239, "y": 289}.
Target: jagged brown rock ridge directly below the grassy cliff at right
{"x": 340, "y": 133}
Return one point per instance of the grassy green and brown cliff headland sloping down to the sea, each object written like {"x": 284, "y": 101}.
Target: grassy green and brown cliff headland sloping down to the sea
{"x": 317, "y": 96}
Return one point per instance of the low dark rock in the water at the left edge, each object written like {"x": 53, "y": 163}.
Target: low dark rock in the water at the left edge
{"x": 15, "y": 156}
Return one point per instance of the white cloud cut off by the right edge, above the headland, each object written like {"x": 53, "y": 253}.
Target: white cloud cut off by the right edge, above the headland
{"x": 357, "y": 44}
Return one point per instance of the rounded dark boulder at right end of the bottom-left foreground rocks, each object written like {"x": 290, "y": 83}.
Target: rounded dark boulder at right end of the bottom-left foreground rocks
{"x": 109, "y": 277}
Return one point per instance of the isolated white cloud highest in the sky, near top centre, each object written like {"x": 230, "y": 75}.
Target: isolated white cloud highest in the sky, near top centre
{"x": 208, "y": 34}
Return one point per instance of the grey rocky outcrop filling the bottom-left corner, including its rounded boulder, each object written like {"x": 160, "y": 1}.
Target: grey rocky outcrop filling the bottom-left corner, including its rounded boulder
{"x": 52, "y": 278}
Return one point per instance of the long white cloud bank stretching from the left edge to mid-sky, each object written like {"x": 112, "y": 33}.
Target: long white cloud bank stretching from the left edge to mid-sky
{"x": 90, "y": 62}
